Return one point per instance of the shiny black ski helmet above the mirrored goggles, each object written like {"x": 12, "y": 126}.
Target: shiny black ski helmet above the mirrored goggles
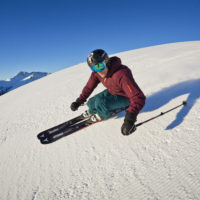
{"x": 96, "y": 56}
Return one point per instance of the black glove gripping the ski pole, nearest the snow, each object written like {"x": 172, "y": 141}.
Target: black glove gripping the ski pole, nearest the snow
{"x": 128, "y": 126}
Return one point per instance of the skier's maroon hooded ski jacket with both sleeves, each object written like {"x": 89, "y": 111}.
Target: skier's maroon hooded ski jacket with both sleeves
{"x": 119, "y": 80}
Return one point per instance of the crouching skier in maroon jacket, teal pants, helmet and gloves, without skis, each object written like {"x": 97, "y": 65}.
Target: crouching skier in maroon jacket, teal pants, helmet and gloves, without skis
{"x": 122, "y": 90}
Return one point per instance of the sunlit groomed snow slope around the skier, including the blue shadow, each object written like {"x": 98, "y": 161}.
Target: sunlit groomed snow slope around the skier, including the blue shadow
{"x": 161, "y": 160}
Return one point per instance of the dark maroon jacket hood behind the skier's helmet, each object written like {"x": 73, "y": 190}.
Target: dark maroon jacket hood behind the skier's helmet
{"x": 114, "y": 64}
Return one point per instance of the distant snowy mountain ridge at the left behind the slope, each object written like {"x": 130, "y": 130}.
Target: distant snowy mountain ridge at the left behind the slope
{"x": 19, "y": 80}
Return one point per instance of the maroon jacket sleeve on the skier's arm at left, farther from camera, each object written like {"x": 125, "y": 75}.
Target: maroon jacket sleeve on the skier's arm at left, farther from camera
{"x": 89, "y": 87}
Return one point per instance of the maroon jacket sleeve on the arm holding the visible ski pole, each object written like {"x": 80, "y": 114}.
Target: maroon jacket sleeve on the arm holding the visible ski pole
{"x": 132, "y": 92}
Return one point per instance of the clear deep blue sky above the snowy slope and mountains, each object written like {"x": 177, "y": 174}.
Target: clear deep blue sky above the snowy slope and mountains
{"x": 50, "y": 35}
